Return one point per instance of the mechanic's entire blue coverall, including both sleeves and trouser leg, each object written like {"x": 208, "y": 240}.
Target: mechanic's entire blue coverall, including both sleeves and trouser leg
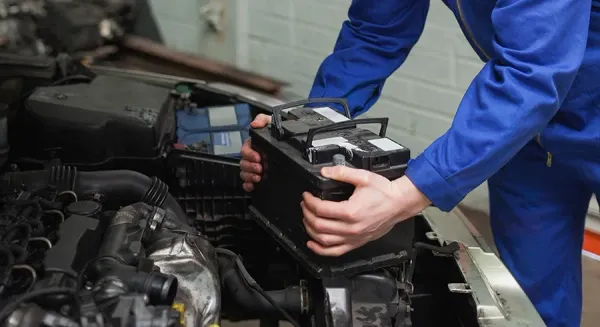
{"x": 529, "y": 122}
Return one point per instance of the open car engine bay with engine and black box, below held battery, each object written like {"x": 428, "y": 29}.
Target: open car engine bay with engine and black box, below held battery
{"x": 107, "y": 219}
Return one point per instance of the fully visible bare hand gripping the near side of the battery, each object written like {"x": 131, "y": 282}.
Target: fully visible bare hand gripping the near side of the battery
{"x": 376, "y": 205}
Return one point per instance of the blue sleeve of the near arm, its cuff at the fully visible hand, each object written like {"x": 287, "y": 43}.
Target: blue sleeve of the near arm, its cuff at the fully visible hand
{"x": 538, "y": 49}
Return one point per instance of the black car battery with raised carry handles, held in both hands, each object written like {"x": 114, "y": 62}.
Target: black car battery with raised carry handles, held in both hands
{"x": 302, "y": 139}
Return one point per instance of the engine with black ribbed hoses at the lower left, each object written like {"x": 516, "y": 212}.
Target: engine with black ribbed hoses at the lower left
{"x": 79, "y": 246}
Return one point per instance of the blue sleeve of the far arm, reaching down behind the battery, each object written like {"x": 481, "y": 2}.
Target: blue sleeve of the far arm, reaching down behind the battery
{"x": 372, "y": 44}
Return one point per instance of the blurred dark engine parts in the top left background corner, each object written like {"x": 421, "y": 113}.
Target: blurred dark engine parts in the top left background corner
{"x": 42, "y": 27}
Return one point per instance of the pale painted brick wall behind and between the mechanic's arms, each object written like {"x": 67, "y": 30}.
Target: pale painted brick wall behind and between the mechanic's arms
{"x": 288, "y": 39}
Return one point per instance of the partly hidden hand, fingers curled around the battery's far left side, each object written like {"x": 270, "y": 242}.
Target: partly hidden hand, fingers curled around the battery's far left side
{"x": 250, "y": 163}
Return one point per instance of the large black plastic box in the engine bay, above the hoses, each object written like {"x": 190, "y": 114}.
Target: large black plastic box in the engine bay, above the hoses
{"x": 111, "y": 117}
